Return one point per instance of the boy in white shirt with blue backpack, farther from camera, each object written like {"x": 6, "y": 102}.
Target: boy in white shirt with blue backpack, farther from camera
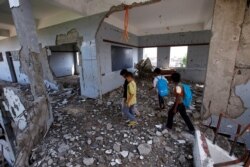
{"x": 162, "y": 89}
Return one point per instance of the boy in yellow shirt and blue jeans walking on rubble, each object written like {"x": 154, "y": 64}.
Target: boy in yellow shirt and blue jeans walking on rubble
{"x": 129, "y": 108}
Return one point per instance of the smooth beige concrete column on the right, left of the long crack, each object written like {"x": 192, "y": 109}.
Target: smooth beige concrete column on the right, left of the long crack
{"x": 227, "y": 20}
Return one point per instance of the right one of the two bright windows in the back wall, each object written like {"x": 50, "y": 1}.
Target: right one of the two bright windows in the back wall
{"x": 178, "y": 56}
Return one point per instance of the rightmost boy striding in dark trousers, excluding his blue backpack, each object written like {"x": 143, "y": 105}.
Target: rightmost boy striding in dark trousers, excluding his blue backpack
{"x": 178, "y": 104}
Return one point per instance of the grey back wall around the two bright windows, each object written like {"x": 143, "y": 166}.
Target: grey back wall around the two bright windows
{"x": 197, "y": 54}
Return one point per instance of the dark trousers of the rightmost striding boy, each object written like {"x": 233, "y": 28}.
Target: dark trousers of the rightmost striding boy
{"x": 182, "y": 110}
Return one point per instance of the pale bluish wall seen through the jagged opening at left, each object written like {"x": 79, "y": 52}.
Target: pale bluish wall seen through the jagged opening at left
{"x": 62, "y": 63}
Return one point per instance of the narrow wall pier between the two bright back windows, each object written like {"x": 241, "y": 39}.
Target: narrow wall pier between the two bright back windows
{"x": 163, "y": 57}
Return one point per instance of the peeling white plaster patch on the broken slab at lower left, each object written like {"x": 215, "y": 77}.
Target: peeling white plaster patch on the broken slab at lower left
{"x": 15, "y": 105}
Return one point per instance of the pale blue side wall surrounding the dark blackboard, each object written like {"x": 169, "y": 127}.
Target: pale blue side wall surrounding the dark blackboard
{"x": 112, "y": 79}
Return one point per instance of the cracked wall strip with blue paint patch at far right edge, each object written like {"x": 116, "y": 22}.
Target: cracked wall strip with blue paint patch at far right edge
{"x": 239, "y": 98}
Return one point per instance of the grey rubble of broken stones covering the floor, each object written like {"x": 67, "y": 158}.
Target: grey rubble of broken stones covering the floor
{"x": 88, "y": 132}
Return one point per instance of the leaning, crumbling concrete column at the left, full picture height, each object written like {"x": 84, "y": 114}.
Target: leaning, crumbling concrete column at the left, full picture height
{"x": 39, "y": 115}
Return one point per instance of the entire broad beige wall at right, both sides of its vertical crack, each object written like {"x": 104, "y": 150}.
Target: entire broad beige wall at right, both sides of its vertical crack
{"x": 228, "y": 64}
